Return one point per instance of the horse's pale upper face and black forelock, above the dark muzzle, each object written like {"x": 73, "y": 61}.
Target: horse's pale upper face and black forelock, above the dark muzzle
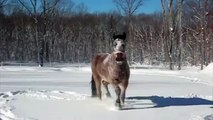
{"x": 119, "y": 44}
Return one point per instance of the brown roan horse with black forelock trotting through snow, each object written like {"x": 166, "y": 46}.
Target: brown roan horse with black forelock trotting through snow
{"x": 111, "y": 69}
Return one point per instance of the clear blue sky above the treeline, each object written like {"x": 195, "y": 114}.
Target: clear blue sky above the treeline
{"x": 150, "y": 6}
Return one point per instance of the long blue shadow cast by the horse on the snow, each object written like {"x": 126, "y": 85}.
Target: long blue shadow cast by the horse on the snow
{"x": 159, "y": 101}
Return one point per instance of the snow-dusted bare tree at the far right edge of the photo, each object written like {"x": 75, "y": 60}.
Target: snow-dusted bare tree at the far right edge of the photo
{"x": 199, "y": 26}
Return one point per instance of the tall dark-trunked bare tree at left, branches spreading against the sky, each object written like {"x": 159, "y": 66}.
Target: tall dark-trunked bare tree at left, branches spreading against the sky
{"x": 32, "y": 6}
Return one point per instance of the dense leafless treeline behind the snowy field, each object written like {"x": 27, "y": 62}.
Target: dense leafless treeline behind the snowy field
{"x": 180, "y": 34}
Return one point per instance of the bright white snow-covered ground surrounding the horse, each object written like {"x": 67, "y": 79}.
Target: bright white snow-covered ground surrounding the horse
{"x": 63, "y": 93}
